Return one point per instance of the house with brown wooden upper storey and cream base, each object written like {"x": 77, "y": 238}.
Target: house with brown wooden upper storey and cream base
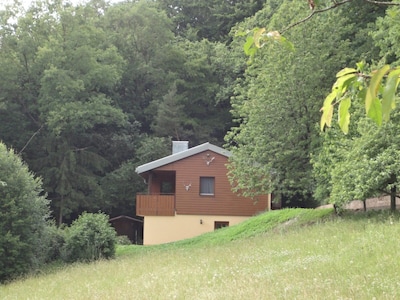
{"x": 189, "y": 194}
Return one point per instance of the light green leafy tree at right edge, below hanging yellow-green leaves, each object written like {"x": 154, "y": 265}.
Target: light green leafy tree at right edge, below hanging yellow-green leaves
{"x": 368, "y": 163}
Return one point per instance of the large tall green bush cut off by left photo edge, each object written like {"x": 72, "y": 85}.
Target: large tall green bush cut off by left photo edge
{"x": 23, "y": 217}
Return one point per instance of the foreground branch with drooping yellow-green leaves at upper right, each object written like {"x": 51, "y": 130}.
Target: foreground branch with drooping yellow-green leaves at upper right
{"x": 378, "y": 106}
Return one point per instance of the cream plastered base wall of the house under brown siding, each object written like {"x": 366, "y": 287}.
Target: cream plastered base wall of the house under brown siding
{"x": 159, "y": 230}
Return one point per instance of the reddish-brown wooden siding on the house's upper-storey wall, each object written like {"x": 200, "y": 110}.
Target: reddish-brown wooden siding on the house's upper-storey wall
{"x": 188, "y": 172}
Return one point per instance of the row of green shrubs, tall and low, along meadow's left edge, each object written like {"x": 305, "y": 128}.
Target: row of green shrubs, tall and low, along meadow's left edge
{"x": 27, "y": 239}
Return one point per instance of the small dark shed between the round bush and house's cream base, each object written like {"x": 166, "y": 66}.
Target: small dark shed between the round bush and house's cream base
{"x": 131, "y": 227}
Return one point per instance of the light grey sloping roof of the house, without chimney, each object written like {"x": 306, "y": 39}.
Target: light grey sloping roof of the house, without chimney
{"x": 181, "y": 155}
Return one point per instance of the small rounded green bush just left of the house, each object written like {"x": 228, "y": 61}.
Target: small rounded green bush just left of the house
{"x": 89, "y": 238}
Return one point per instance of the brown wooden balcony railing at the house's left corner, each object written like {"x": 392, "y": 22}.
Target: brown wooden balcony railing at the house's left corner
{"x": 155, "y": 205}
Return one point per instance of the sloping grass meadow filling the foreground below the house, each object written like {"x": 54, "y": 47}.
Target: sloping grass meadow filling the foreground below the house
{"x": 287, "y": 254}
